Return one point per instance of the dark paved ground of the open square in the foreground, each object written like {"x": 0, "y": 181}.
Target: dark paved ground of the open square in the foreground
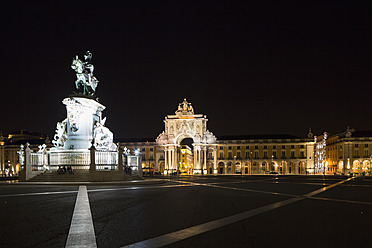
{"x": 197, "y": 211}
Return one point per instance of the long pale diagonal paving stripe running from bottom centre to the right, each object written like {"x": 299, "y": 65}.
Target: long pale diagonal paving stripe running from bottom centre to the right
{"x": 176, "y": 236}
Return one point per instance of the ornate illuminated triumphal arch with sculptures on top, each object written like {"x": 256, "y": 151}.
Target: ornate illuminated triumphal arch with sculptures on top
{"x": 186, "y": 124}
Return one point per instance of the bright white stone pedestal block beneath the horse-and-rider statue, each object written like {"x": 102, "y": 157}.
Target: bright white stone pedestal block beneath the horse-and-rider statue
{"x": 82, "y": 114}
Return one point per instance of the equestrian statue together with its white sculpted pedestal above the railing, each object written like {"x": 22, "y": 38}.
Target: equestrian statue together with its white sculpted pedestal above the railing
{"x": 84, "y": 123}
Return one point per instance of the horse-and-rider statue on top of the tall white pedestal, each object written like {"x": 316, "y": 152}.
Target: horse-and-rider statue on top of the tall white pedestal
{"x": 85, "y": 82}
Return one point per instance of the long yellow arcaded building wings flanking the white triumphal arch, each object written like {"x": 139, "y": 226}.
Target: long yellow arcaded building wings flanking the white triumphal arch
{"x": 255, "y": 154}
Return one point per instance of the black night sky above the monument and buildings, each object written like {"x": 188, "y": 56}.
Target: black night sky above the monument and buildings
{"x": 254, "y": 68}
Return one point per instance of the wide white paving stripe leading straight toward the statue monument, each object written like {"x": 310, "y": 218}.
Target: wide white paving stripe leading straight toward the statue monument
{"x": 81, "y": 232}
